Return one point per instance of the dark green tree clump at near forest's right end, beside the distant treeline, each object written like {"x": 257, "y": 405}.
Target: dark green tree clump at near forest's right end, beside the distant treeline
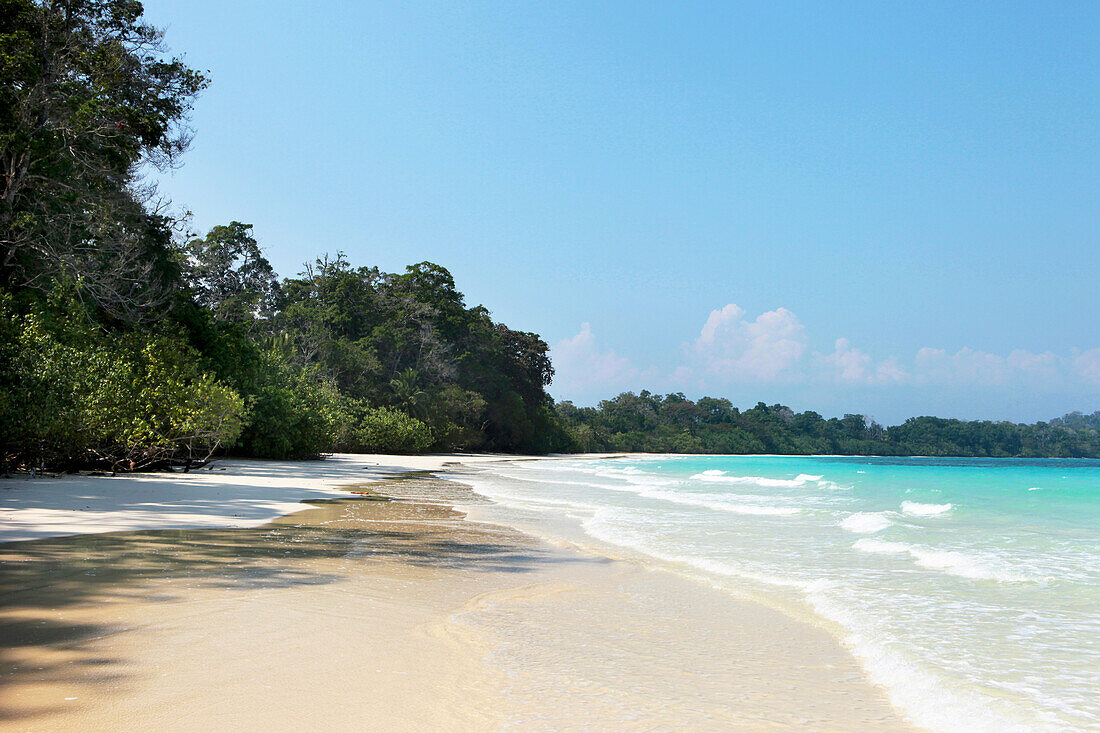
{"x": 408, "y": 342}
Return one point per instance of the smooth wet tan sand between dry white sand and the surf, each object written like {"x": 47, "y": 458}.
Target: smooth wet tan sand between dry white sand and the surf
{"x": 390, "y": 611}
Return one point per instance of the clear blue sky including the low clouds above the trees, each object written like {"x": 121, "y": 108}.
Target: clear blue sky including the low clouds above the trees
{"x": 884, "y": 209}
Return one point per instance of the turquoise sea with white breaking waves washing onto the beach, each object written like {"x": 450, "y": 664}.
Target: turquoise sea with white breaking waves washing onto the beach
{"x": 969, "y": 588}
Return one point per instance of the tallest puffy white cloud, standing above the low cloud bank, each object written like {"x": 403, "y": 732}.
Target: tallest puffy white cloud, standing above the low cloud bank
{"x": 738, "y": 349}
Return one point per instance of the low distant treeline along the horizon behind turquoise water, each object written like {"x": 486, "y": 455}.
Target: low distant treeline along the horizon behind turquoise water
{"x": 653, "y": 423}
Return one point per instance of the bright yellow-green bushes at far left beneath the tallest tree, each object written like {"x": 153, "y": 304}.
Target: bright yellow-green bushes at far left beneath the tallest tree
{"x": 73, "y": 395}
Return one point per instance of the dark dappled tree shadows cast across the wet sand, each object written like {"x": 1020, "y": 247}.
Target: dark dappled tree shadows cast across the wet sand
{"x": 41, "y": 579}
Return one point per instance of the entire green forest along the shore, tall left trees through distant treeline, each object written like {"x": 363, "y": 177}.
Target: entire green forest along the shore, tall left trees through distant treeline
{"x": 129, "y": 343}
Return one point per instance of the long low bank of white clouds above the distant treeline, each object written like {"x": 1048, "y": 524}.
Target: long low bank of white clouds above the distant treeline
{"x": 734, "y": 349}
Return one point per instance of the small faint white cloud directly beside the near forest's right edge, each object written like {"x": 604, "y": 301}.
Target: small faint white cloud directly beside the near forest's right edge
{"x": 580, "y": 367}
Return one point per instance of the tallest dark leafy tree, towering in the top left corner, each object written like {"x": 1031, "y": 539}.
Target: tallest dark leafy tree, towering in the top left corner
{"x": 87, "y": 97}
